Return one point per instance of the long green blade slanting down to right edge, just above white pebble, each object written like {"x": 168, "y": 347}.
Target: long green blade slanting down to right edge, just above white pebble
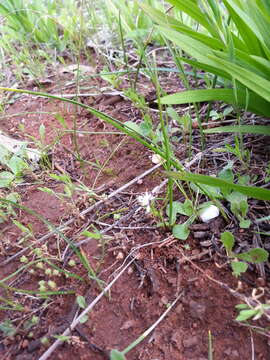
{"x": 251, "y": 191}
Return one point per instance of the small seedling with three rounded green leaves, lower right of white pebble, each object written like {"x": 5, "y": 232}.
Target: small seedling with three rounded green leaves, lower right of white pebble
{"x": 239, "y": 261}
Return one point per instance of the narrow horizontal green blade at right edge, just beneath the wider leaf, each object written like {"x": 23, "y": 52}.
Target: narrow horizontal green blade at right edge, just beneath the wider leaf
{"x": 243, "y": 129}
